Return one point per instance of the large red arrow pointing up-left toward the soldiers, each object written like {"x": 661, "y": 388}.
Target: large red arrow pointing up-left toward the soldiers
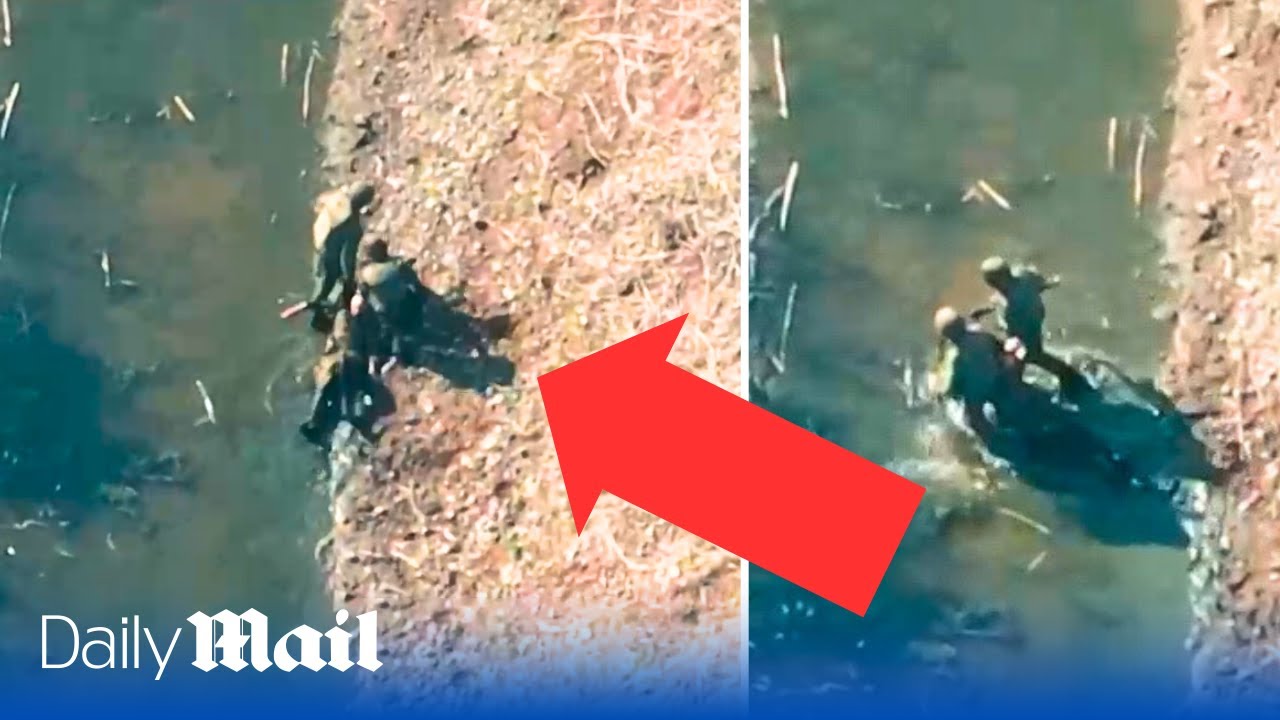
{"x": 708, "y": 462}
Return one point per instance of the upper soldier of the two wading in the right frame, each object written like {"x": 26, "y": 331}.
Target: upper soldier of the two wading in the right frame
{"x": 1020, "y": 298}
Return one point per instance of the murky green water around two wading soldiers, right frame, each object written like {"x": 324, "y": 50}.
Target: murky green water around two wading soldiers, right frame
{"x": 917, "y": 99}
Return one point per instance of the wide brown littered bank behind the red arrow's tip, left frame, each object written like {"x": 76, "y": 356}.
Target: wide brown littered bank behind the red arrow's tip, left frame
{"x": 577, "y": 165}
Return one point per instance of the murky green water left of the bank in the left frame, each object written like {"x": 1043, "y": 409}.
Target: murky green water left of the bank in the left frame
{"x": 211, "y": 220}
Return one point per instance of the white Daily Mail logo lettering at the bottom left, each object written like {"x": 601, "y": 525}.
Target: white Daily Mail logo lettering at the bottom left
{"x": 221, "y": 641}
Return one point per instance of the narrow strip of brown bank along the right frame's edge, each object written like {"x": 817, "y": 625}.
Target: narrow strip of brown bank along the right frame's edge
{"x": 1224, "y": 235}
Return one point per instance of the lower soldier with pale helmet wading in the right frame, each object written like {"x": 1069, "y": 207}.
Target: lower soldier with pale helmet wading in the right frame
{"x": 975, "y": 368}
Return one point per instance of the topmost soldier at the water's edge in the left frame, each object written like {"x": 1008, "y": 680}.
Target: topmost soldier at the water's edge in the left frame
{"x": 336, "y": 239}
